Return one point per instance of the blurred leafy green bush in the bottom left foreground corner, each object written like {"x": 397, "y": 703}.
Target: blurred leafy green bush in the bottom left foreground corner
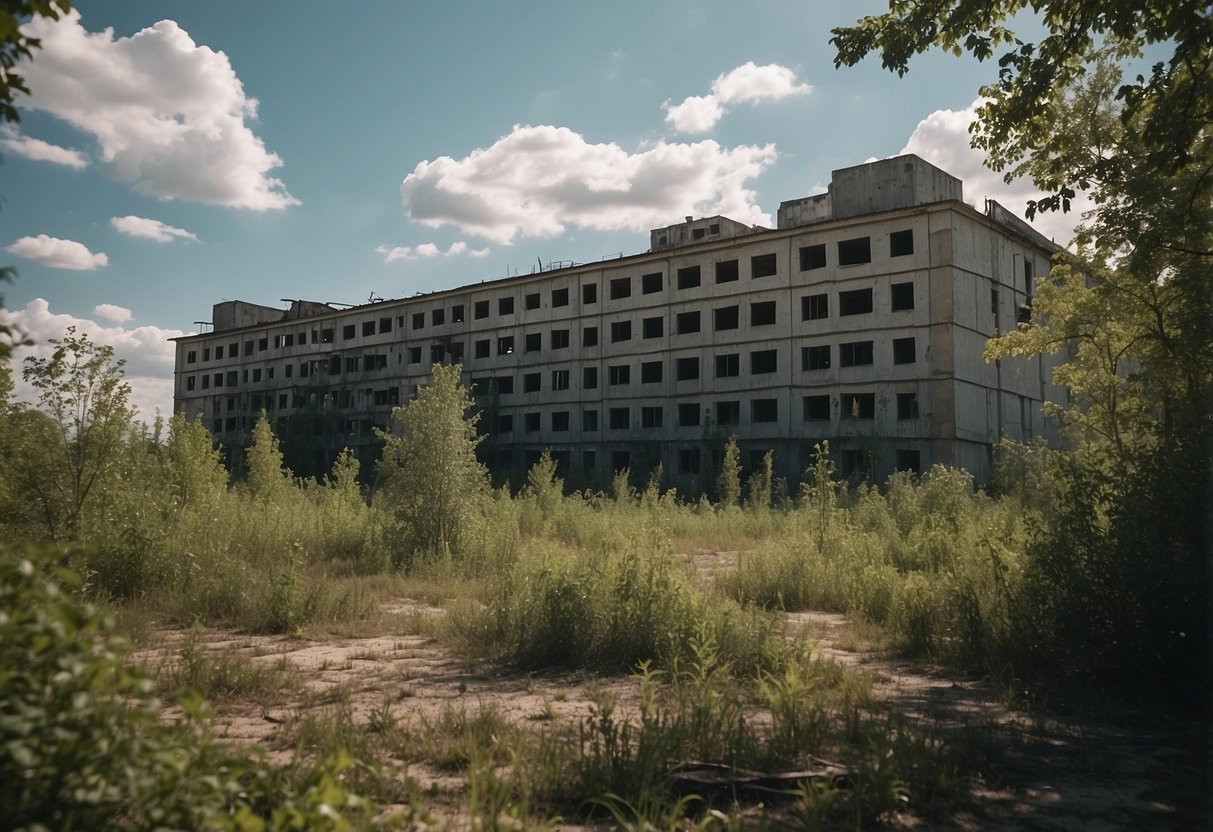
{"x": 83, "y": 746}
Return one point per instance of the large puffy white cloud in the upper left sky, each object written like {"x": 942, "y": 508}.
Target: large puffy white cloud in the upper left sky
{"x": 170, "y": 116}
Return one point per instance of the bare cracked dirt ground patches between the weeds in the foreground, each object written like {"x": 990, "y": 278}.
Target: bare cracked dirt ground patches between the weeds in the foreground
{"x": 1060, "y": 773}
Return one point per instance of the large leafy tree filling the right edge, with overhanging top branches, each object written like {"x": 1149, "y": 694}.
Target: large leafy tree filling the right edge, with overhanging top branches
{"x": 1117, "y": 590}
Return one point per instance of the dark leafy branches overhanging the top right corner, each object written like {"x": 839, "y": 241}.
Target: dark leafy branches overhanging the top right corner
{"x": 1172, "y": 106}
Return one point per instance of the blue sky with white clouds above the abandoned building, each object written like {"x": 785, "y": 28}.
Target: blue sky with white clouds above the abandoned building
{"x": 178, "y": 155}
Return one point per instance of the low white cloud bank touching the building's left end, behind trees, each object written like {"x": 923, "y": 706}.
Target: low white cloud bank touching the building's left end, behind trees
{"x": 149, "y": 354}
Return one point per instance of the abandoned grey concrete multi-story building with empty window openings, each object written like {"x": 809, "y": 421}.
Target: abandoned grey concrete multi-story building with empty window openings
{"x": 859, "y": 321}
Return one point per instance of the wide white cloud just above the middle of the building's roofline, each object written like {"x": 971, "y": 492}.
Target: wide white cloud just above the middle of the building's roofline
{"x": 538, "y": 180}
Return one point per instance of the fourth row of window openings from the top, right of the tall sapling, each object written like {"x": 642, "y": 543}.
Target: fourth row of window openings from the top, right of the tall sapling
{"x": 815, "y": 408}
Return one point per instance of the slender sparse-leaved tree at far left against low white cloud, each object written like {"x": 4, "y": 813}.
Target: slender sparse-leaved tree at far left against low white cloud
{"x": 82, "y": 390}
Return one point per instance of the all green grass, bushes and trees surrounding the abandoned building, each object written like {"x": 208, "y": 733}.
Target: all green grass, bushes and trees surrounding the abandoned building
{"x": 1080, "y": 579}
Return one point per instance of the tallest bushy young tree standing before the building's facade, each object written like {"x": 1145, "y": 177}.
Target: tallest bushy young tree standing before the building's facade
{"x": 430, "y": 475}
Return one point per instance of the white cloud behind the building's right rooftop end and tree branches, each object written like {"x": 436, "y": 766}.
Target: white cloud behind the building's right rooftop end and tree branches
{"x": 943, "y": 140}
